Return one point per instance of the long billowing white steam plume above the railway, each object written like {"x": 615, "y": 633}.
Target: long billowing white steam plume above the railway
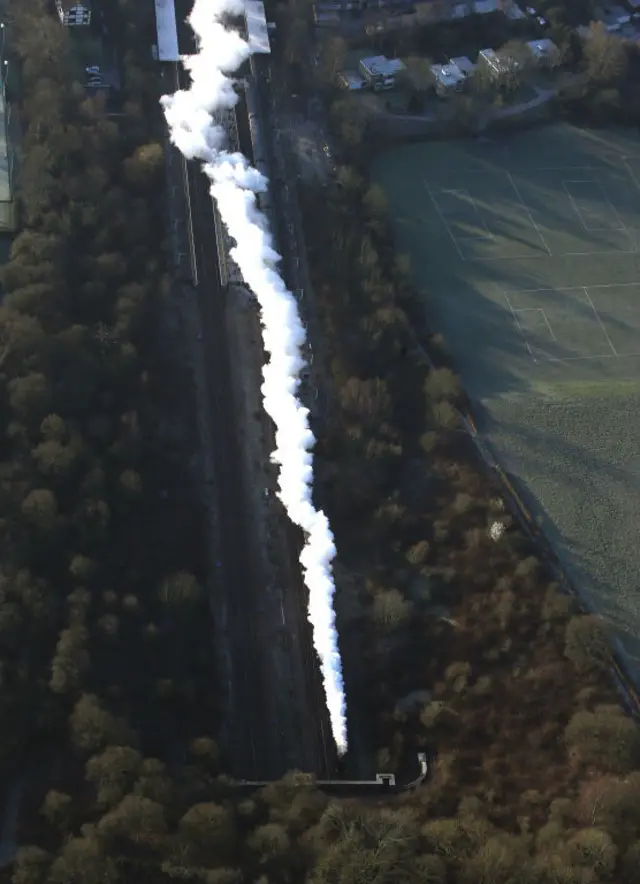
{"x": 234, "y": 184}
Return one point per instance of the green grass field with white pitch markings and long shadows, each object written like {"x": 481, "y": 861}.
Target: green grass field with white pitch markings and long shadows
{"x": 527, "y": 249}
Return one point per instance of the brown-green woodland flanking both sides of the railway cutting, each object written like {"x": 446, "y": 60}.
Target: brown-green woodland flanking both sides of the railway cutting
{"x": 106, "y": 667}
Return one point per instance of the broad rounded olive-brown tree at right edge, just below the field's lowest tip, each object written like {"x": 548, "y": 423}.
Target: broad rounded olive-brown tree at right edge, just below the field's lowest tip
{"x": 610, "y": 741}
